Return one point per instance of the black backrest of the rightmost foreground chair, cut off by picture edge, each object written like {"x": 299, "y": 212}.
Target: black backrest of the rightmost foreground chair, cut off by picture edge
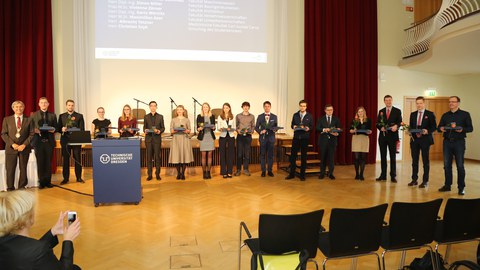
{"x": 461, "y": 221}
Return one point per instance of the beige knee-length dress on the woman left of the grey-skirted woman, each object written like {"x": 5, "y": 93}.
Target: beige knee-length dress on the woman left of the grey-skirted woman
{"x": 181, "y": 147}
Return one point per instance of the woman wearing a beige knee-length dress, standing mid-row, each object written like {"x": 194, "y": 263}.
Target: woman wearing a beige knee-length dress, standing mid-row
{"x": 181, "y": 152}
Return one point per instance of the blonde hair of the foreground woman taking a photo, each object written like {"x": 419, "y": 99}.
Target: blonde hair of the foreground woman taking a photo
{"x": 17, "y": 211}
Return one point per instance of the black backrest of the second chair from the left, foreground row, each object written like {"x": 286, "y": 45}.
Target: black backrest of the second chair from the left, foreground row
{"x": 355, "y": 231}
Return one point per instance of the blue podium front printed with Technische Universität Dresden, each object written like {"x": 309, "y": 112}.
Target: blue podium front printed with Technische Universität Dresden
{"x": 116, "y": 171}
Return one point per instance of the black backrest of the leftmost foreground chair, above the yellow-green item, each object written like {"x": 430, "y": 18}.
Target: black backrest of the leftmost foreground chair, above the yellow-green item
{"x": 278, "y": 234}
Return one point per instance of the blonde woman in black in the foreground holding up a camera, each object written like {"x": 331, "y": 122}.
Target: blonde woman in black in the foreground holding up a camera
{"x": 18, "y": 250}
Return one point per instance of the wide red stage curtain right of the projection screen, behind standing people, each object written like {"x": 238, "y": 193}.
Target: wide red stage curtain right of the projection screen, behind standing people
{"x": 341, "y": 64}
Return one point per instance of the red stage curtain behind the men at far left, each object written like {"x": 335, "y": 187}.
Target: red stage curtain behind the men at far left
{"x": 26, "y": 54}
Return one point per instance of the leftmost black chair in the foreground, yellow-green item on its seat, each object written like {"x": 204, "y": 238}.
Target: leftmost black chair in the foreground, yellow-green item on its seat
{"x": 283, "y": 234}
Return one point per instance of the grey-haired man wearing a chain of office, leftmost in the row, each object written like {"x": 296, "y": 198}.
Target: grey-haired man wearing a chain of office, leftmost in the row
{"x": 17, "y": 132}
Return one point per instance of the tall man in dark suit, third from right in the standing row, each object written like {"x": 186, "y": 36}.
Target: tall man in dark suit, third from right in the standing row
{"x": 388, "y": 122}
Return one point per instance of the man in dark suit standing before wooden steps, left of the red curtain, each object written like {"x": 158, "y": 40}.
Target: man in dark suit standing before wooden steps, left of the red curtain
{"x": 302, "y": 123}
